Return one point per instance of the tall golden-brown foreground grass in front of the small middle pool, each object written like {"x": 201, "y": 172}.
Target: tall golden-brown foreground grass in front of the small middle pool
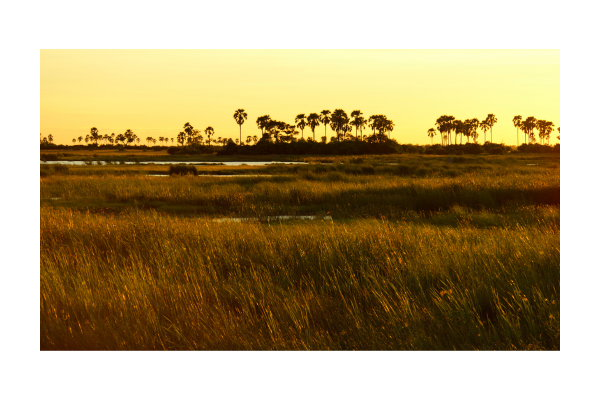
{"x": 145, "y": 280}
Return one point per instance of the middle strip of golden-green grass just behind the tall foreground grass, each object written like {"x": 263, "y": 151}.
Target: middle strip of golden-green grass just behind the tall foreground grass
{"x": 342, "y": 195}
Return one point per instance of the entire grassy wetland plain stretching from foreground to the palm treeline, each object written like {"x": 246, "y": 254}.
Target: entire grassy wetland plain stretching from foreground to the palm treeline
{"x": 421, "y": 253}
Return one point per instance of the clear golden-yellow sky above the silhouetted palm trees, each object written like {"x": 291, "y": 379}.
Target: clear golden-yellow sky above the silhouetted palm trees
{"x": 154, "y": 92}
